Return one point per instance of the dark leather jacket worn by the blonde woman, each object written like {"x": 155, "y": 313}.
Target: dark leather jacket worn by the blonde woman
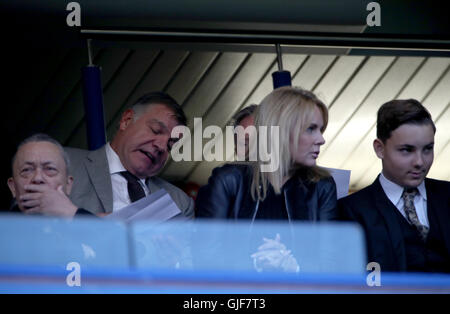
{"x": 228, "y": 195}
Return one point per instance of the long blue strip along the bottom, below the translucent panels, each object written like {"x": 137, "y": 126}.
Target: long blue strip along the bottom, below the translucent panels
{"x": 26, "y": 279}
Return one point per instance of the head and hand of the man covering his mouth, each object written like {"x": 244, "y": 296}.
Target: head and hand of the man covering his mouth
{"x": 41, "y": 181}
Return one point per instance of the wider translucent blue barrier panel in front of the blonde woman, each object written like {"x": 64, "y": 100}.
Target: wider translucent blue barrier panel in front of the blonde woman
{"x": 261, "y": 247}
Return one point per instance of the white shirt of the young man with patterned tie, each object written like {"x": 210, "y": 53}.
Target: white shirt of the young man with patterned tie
{"x": 394, "y": 193}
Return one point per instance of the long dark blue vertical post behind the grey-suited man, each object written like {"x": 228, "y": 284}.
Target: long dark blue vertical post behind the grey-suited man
{"x": 93, "y": 106}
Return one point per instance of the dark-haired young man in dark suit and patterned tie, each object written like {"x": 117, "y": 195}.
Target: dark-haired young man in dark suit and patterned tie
{"x": 405, "y": 216}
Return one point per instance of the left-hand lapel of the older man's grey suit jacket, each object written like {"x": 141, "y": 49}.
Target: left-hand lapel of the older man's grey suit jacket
{"x": 97, "y": 167}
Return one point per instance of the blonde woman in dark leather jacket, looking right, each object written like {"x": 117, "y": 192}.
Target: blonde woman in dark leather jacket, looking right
{"x": 297, "y": 189}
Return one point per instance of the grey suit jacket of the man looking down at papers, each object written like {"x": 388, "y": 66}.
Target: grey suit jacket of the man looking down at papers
{"x": 92, "y": 188}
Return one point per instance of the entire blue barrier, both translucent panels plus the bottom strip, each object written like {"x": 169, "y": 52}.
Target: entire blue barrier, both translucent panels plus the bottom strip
{"x": 192, "y": 257}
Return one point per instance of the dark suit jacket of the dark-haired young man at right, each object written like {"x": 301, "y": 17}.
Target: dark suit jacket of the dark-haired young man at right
{"x": 375, "y": 212}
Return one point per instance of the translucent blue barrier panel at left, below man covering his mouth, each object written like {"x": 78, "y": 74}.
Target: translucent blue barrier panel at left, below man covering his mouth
{"x": 33, "y": 240}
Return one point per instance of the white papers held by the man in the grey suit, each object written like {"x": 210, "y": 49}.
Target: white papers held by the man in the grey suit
{"x": 157, "y": 207}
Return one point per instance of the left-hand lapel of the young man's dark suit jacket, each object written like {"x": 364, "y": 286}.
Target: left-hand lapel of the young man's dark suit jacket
{"x": 387, "y": 211}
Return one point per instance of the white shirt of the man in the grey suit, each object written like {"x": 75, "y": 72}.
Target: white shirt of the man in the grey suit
{"x": 118, "y": 182}
